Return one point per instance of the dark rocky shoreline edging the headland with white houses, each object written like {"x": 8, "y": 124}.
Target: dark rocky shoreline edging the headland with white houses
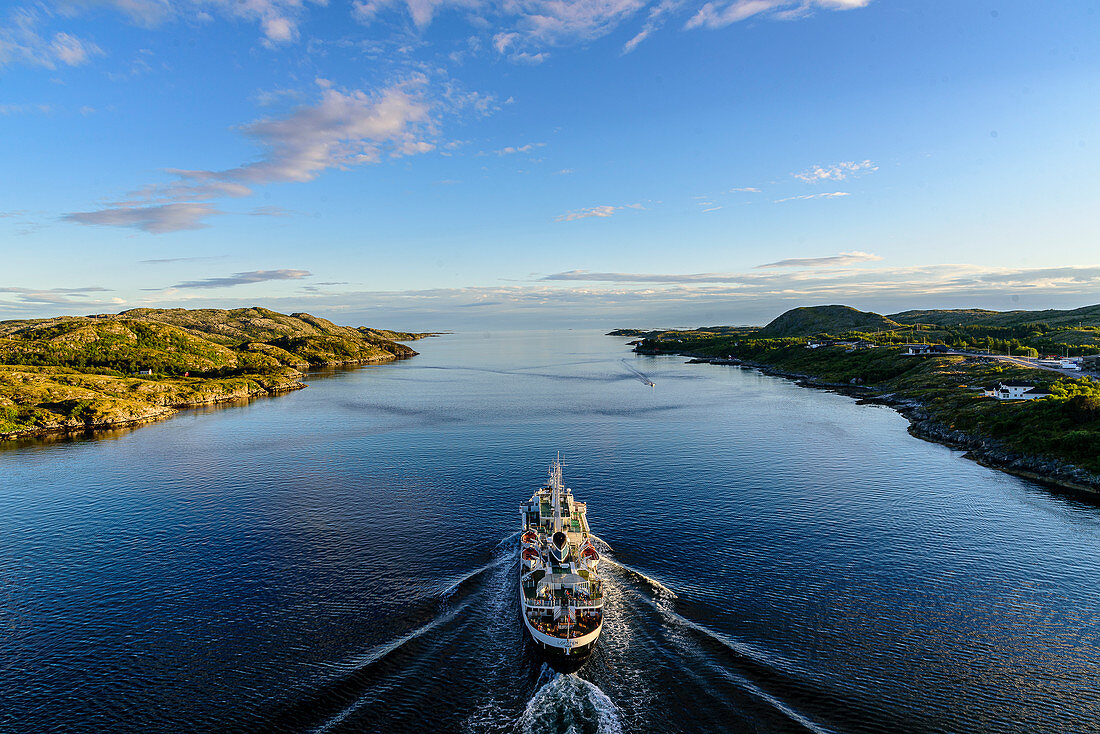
{"x": 986, "y": 452}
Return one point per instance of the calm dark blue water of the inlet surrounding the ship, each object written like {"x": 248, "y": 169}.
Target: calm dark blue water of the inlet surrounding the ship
{"x": 343, "y": 560}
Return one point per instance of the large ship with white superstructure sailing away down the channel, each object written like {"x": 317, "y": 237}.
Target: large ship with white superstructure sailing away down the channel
{"x": 560, "y": 591}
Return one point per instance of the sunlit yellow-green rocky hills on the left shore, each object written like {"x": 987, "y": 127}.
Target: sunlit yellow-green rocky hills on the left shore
{"x": 74, "y": 373}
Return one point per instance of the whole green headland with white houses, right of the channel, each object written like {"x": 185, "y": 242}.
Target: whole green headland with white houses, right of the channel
{"x": 1019, "y": 390}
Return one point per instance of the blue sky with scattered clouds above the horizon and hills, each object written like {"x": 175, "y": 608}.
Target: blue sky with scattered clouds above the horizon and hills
{"x": 463, "y": 163}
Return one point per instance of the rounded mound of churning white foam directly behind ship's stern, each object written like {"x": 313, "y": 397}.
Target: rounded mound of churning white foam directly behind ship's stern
{"x": 569, "y": 705}
